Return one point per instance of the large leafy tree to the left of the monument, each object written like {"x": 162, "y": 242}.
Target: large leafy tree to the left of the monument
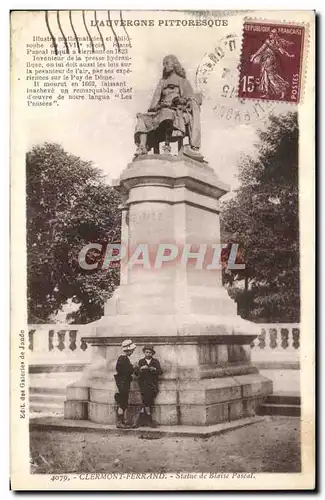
{"x": 68, "y": 206}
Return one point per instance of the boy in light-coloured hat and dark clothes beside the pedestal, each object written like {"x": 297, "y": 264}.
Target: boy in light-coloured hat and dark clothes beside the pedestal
{"x": 123, "y": 378}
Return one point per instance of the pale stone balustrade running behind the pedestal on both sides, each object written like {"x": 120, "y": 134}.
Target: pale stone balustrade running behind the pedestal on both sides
{"x": 62, "y": 343}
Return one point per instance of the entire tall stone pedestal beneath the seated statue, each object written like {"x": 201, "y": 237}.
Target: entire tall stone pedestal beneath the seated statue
{"x": 179, "y": 306}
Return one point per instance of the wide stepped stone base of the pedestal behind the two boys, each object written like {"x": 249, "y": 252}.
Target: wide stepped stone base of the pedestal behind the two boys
{"x": 209, "y": 384}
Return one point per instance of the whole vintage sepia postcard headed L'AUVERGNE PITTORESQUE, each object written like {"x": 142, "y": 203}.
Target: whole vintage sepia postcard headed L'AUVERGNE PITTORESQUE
{"x": 162, "y": 251}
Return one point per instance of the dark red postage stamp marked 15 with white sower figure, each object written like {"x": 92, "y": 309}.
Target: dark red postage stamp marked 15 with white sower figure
{"x": 271, "y": 62}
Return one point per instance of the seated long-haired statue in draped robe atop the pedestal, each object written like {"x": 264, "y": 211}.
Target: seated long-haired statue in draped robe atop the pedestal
{"x": 174, "y": 112}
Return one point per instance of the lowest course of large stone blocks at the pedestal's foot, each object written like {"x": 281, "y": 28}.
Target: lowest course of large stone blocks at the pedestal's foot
{"x": 209, "y": 402}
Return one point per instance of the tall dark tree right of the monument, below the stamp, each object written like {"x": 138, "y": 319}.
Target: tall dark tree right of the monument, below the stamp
{"x": 263, "y": 219}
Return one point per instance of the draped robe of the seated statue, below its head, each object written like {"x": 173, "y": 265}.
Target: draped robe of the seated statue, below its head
{"x": 184, "y": 116}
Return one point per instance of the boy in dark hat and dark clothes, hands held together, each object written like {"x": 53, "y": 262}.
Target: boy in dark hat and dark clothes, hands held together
{"x": 148, "y": 371}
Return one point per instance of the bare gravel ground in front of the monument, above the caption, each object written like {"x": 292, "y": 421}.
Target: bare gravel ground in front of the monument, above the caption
{"x": 269, "y": 446}
